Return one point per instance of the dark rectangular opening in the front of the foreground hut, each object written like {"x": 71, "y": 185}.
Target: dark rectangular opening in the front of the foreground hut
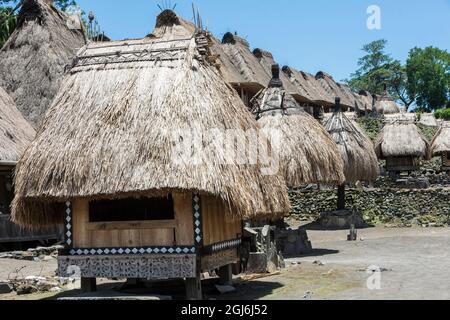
{"x": 144, "y": 209}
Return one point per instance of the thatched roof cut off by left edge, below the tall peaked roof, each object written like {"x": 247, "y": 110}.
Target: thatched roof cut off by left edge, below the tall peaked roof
{"x": 15, "y": 132}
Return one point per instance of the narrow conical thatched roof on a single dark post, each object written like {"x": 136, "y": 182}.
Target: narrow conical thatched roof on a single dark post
{"x": 357, "y": 150}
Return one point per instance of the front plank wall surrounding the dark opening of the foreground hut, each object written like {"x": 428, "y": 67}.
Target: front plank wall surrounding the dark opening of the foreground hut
{"x": 179, "y": 232}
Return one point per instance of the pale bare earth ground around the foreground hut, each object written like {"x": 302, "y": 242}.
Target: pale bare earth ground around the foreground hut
{"x": 414, "y": 261}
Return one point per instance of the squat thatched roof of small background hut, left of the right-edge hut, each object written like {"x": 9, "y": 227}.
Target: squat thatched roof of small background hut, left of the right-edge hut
{"x": 401, "y": 138}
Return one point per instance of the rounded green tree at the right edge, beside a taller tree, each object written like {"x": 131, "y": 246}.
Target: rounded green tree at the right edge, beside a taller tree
{"x": 428, "y": 77}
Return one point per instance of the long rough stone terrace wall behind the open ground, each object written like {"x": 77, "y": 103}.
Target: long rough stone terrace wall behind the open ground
{"x": 397, "y": 207}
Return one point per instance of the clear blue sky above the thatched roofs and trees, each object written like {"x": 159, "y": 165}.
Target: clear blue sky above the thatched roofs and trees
{"x": 310, "y": 35}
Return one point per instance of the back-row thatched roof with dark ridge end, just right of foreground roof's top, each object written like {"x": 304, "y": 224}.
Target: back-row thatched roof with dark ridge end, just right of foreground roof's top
{"x": 239, "y": 54}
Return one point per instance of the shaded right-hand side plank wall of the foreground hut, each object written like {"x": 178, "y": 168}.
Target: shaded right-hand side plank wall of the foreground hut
{"x": 218, "y": 224}
